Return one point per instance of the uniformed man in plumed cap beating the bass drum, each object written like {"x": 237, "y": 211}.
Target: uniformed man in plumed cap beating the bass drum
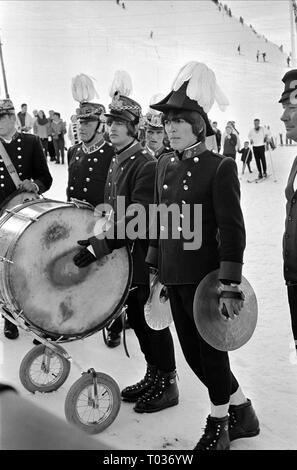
{"x": 131, "y": 182}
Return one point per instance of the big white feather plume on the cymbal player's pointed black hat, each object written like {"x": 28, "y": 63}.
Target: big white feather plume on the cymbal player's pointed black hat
{"x": 202, "y": 86}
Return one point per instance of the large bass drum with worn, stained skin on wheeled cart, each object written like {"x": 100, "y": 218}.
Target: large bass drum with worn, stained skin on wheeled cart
{"x": 39, "y": 280}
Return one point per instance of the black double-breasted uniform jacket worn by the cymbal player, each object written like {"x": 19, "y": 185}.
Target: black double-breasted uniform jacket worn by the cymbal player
{"x": 199, "y": 176}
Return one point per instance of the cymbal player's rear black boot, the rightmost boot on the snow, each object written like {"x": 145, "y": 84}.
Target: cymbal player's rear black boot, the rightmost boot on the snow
{"x": 243, "y": 421}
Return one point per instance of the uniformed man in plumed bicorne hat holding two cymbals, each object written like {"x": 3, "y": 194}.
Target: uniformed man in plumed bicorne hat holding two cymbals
{"x": 189, "y": 176}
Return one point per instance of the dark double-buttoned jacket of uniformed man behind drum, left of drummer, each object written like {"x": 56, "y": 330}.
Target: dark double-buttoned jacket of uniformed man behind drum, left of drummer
{"x": 87, "y": 172}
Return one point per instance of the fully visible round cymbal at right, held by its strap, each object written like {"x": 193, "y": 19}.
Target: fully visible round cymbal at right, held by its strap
{"x": 224, "y": 335}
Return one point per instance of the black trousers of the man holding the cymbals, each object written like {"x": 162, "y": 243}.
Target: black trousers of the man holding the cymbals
{"x": 210, "y": 365}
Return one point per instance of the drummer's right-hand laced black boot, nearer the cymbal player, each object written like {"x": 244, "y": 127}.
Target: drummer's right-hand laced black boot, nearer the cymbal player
{"x": 162, "y": 394}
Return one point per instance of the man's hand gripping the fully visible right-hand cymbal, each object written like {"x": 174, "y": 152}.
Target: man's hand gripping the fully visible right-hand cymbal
{"x": 229, "y": 305}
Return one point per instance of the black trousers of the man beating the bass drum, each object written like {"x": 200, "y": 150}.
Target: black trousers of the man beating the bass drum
{"x": 157, "y": 346}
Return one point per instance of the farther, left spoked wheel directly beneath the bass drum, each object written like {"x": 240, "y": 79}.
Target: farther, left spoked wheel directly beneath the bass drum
{"x": 43, "y": 370}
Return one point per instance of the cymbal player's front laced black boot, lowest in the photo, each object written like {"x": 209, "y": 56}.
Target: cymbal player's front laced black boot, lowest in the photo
{"x": 216, "y": 435}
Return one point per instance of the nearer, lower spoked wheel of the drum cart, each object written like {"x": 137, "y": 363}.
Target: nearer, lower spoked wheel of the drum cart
{"x": 80, "y": 404}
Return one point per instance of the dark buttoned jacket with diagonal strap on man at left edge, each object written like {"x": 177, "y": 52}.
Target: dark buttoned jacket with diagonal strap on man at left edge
{"x": 27, "y": 156}
